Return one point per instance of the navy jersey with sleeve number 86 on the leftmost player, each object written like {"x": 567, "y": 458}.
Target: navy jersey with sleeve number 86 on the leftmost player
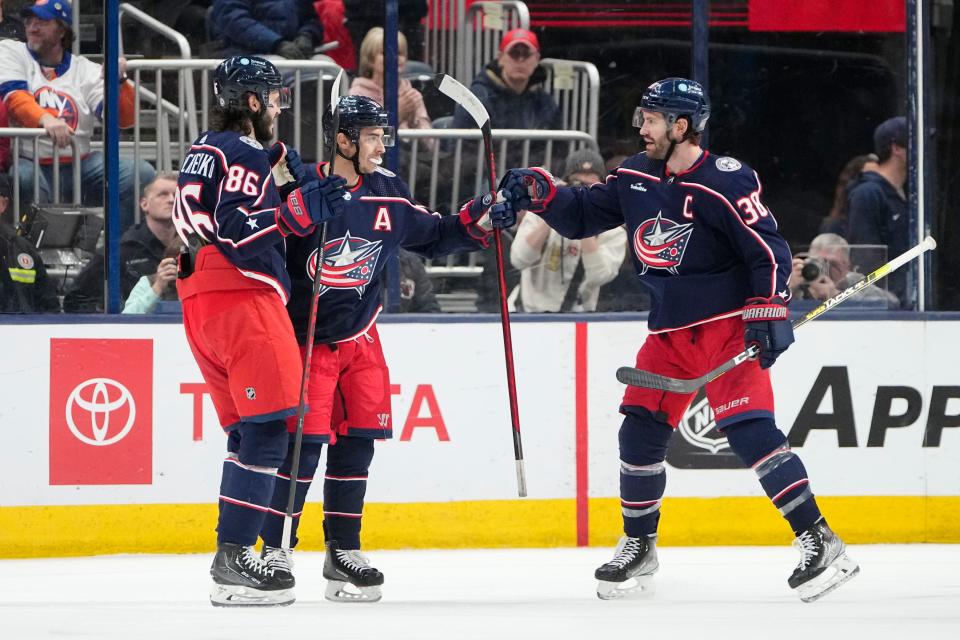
{"x": 226, "y": 196}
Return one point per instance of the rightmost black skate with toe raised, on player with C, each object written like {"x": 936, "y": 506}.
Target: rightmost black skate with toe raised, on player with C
{"x": 824, "y": 564}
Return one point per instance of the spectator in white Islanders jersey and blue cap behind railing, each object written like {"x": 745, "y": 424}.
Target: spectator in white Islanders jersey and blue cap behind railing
{"x": 44, "y": 85}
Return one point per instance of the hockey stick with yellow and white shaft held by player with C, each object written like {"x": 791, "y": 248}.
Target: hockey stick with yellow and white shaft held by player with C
{"x": 646, "y": 379}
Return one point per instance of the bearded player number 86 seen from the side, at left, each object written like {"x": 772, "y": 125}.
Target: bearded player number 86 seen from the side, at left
{"x": 234, "y": 284}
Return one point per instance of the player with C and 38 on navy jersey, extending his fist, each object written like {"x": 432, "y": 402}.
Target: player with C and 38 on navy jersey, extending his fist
{"x": 708, "y": 249}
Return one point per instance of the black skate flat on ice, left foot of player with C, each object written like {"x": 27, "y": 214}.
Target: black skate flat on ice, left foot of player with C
{"x": 630, "y": 573}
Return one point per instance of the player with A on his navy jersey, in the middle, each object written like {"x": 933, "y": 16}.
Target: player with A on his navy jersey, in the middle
{"x": 349, "y": 390}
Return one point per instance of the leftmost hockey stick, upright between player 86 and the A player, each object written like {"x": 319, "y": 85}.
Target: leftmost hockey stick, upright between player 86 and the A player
{"x": 335, "y": 92}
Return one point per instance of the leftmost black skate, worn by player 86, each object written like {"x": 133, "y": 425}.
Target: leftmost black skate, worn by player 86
{"x": 242, "y": 579}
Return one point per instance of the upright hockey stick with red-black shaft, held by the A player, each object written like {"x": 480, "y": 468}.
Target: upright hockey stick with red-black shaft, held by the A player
{"x": 463, "y": 97}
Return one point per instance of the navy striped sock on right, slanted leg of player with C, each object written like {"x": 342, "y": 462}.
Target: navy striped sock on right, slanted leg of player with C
{"x": 763, "y": 447}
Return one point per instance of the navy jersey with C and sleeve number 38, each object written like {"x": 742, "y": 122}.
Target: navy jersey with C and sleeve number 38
{"x": 702, "y": 241}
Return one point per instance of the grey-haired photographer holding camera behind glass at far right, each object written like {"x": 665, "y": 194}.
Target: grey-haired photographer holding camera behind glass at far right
{"x": 825, "y": 271}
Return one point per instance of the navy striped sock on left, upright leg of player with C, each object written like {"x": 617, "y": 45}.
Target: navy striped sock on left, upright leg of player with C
{"x": 643, "y": 448}
